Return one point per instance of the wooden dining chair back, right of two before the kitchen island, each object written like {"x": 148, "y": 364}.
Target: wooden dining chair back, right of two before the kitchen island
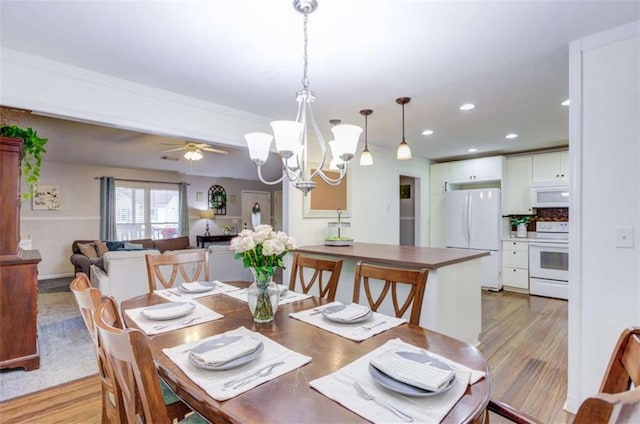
{"x": 394, "y": 278}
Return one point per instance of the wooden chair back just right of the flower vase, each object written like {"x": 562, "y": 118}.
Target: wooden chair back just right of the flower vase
{"x": 302, "y": 266}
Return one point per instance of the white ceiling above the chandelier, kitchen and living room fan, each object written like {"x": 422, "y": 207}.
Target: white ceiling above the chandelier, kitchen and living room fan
{"x": 510, "y": 58}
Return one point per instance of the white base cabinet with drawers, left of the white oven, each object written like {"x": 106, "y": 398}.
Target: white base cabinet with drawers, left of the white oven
{"x": 515, "y": 266}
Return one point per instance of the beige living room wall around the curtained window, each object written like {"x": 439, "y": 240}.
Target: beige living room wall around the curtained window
{"x": 53, "y": 232}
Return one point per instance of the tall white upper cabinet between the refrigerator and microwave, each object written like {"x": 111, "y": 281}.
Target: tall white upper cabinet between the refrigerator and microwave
{"x": 516, "y": 187}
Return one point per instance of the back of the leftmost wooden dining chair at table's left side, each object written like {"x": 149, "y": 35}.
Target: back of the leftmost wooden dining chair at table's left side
{"x": 88, "y": 300}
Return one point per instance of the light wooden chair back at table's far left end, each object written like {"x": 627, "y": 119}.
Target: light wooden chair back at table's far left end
{"x": 183, "y": 267}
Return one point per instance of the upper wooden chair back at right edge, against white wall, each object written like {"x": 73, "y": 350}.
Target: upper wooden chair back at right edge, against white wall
{"x": 624, "y": 365}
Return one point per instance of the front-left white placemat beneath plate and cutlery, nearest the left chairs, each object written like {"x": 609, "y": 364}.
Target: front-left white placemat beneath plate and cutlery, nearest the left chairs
{"x": 213, "y": 381}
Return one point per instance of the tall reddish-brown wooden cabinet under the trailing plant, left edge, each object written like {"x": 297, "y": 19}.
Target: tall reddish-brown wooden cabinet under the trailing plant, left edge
{"x": 18, "y": 270}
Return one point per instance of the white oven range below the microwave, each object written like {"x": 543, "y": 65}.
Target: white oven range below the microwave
{"x": 549, "y": 260}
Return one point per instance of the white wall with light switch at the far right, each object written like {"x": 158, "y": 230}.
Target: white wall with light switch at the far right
{"x": 604, "y": 146}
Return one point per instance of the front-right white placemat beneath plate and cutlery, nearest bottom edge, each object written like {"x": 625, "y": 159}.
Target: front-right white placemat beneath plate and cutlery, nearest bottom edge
{"x": 339, "y": 387}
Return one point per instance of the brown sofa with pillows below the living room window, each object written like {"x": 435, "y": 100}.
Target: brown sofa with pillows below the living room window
{"x": 90, "y": 252}
